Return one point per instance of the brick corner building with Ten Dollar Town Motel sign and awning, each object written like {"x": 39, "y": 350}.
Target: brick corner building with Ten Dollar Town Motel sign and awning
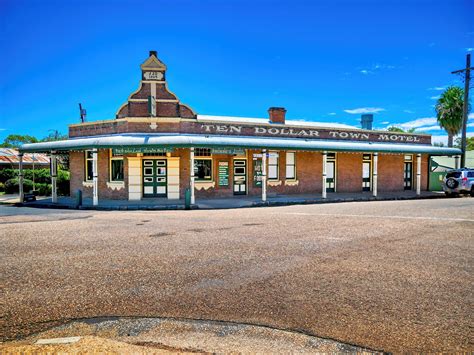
{"x": 157, "y": 147}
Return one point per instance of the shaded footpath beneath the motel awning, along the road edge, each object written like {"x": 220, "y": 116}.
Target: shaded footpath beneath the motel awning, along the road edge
{"x": 219, "y": 203}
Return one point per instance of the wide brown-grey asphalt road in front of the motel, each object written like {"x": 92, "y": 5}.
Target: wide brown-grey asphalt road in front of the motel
{"x": 393, "y": 276}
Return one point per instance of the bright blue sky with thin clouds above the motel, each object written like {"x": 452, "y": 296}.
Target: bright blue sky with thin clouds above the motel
{"x": 321, "y": 60}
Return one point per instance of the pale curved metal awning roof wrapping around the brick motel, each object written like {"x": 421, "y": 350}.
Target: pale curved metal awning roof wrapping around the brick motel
{"x": 209, "y": 141}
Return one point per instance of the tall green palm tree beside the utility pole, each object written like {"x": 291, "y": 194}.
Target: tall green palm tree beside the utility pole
{"x": 449, "y": 111}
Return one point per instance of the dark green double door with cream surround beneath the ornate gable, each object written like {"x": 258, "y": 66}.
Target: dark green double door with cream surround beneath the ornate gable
{"x": 154, "y": 177}
